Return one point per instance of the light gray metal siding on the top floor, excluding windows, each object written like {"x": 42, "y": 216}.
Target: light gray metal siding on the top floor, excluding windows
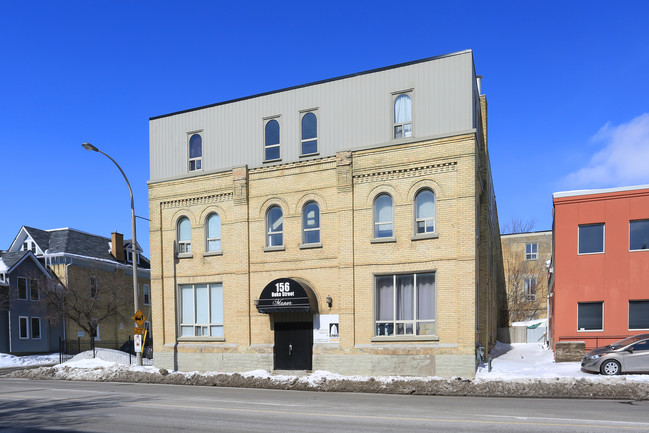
{"x": 353, "y": 112}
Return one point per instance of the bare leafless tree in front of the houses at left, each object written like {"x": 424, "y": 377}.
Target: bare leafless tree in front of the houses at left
{"x": 87, "y": 300}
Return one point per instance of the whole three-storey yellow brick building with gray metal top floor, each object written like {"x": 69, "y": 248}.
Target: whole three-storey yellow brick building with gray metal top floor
{"x": 348, "y": 225}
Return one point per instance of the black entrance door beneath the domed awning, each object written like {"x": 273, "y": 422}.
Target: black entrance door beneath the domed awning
{"x": 293, "y": 345}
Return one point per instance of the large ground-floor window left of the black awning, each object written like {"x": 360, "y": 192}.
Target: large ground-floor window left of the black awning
{"x": 201, "y": 311}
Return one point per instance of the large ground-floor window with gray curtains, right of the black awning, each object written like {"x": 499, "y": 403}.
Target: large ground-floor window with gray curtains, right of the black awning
{"x": 405, "y": 304}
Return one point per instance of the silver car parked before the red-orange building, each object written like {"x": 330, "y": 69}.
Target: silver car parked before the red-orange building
{"x": 630, "y": 355}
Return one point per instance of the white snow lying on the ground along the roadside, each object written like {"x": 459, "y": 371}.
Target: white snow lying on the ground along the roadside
{"x": 510, "y": 362}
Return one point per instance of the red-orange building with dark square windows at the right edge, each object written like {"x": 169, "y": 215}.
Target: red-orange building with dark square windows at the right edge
{"x": 600, "y": 285}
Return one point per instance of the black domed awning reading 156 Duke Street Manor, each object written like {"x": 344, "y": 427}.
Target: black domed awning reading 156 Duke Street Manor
{"x": 286, "y": 295}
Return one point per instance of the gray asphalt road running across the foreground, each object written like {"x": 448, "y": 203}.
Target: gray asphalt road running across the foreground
{"x": 43, "y": 406}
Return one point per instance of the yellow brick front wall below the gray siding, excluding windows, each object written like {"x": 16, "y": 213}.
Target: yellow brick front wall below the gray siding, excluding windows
{"x": 344, "y": 266}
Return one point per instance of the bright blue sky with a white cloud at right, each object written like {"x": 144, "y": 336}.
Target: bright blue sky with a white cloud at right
{"x": 567, "y": 85}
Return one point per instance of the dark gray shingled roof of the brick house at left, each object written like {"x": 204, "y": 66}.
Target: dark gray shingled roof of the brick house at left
{"x": 76, "y": 242}
